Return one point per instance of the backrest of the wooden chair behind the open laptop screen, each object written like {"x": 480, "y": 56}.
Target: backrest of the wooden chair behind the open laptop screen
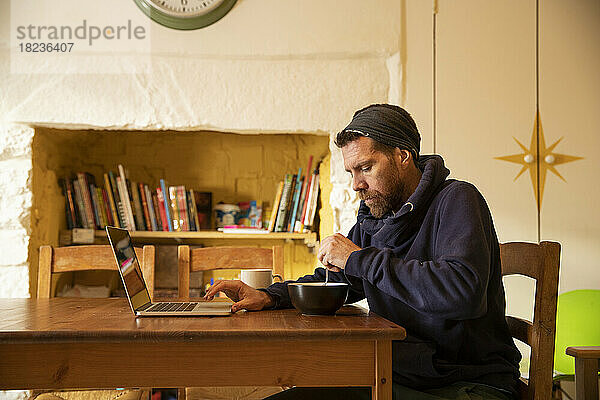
{"x": 82, "y": 258}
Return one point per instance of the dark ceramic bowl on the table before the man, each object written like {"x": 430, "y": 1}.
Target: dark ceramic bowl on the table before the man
{"x": 316, "y": 298}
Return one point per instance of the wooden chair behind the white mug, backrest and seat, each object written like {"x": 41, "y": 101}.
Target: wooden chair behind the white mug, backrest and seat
{"x": 213, "y": 258}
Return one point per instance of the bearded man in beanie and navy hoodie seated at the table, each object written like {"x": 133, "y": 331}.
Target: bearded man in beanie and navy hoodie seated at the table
{"x": 425, "y": 255}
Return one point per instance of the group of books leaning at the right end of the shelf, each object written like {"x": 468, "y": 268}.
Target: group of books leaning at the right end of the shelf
{"x": 295, "y": 203}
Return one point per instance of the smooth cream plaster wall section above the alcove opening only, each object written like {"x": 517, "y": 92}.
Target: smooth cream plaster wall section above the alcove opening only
{"x": 269, "y": 66}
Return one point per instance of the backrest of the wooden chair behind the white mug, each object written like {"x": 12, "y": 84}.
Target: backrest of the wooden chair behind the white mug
{"x": 212, "y": 258}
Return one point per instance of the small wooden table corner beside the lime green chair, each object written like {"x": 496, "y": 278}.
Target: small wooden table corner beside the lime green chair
{"x": 587, "y": 365}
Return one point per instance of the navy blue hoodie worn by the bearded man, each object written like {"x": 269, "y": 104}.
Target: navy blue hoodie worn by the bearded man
{"x": 433, "y": 267}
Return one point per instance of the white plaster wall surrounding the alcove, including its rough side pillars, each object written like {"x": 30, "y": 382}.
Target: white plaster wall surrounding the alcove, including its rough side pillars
{"x": 269, "y": 66}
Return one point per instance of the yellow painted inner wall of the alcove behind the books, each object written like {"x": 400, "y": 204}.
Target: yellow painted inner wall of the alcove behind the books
{"x": 233, "y": 167}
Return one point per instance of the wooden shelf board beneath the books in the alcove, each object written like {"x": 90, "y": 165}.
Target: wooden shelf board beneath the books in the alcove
{"x": 66, "y": 237}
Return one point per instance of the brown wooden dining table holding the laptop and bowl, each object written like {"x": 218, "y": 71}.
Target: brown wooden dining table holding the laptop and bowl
{"x": 97, "y": 343}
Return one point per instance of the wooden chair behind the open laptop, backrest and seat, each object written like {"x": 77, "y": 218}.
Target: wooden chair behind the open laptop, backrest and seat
{"x": 81, "y": 258}
